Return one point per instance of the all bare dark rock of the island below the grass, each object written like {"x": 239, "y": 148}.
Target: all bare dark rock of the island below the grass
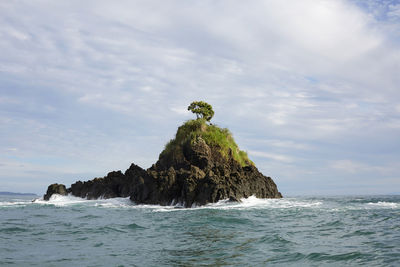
{"x": 193, "y": 173}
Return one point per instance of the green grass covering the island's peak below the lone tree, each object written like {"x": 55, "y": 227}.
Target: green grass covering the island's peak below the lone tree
{"x": 212, "y": 135}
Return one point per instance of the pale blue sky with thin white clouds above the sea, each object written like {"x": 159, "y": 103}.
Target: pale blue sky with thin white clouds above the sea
{"x": 309, "y": 88}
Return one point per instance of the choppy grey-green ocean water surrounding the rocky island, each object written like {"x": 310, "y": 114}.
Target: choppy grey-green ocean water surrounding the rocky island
{"x": 293, "y": 231}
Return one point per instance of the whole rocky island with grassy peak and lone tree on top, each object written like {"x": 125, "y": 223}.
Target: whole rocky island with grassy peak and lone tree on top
{"x": 201, "y": 165}
